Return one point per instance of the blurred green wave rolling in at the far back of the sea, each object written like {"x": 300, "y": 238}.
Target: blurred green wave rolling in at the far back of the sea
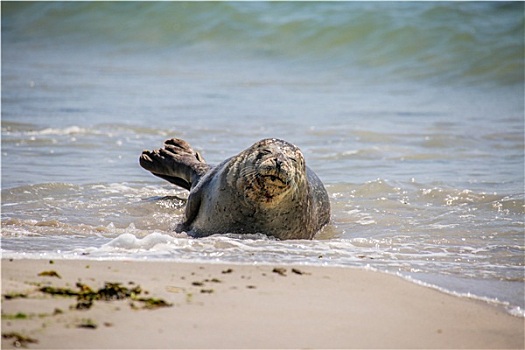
{"x": 474, "y": 43}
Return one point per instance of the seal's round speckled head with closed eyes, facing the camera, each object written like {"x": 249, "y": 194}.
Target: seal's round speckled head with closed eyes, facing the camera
{"x": 269, "y": 170}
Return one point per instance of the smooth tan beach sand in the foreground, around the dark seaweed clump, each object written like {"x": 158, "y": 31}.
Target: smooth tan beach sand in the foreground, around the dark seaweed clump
{"x": 239, "y": 306}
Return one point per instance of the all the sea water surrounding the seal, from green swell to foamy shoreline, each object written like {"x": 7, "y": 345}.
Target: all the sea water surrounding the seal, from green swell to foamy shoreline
{"x": 412, "y": 114}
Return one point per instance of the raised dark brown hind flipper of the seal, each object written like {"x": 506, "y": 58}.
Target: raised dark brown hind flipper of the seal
{"x": 177, "y": 163}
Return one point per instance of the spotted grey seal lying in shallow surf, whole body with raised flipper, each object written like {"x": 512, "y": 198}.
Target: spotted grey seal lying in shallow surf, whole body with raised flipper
{"x": 266, "y": 188}
